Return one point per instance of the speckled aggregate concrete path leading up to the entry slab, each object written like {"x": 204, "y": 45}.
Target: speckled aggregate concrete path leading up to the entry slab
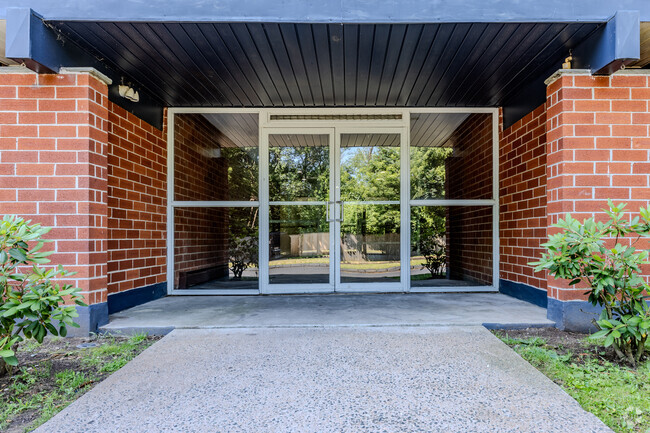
{"x": 363, "y": 379}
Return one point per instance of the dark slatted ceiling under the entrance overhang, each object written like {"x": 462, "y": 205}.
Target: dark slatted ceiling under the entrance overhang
{"x": 325, "y": 65}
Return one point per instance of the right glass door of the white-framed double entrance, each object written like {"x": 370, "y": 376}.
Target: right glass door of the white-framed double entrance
{"x": 369, "y": 233}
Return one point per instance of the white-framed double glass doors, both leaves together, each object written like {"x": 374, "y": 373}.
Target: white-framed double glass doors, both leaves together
{"x": 331, "y": 210}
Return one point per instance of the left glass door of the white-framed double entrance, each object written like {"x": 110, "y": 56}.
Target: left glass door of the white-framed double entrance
{"x": 299, "y": 165}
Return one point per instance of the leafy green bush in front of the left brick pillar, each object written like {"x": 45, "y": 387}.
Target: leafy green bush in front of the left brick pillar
{"x": 31, "y": 305}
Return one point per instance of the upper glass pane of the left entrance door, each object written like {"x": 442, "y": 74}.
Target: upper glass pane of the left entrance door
{"x": 299, "y": 167}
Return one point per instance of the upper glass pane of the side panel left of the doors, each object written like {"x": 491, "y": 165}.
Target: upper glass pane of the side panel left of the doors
{"x": 216, "y": 157}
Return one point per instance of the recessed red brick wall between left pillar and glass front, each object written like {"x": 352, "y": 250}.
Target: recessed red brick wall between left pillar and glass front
{"x": 137, "y": 199}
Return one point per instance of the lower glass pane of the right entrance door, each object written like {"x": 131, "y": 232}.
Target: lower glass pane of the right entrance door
{"x": 370, "y": 243}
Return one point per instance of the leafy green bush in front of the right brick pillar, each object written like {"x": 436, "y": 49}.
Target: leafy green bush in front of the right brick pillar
{"x": 579, "y": 253}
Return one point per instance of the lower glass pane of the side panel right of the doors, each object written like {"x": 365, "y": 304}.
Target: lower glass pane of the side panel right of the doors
{"x": 451, "y": 246}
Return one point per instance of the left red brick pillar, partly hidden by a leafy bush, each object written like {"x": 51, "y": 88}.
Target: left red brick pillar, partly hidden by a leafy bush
{"x": 53, "y": 144}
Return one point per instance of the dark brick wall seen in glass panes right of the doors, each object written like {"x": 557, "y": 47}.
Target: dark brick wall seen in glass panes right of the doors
{"x": 469, "y": 176}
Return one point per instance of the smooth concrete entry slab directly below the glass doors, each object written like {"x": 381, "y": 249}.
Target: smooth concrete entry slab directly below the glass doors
{"x": 492, "y": 309}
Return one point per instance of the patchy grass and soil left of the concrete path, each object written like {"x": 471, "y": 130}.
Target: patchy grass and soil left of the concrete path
{"x": 54, "y": 374}
